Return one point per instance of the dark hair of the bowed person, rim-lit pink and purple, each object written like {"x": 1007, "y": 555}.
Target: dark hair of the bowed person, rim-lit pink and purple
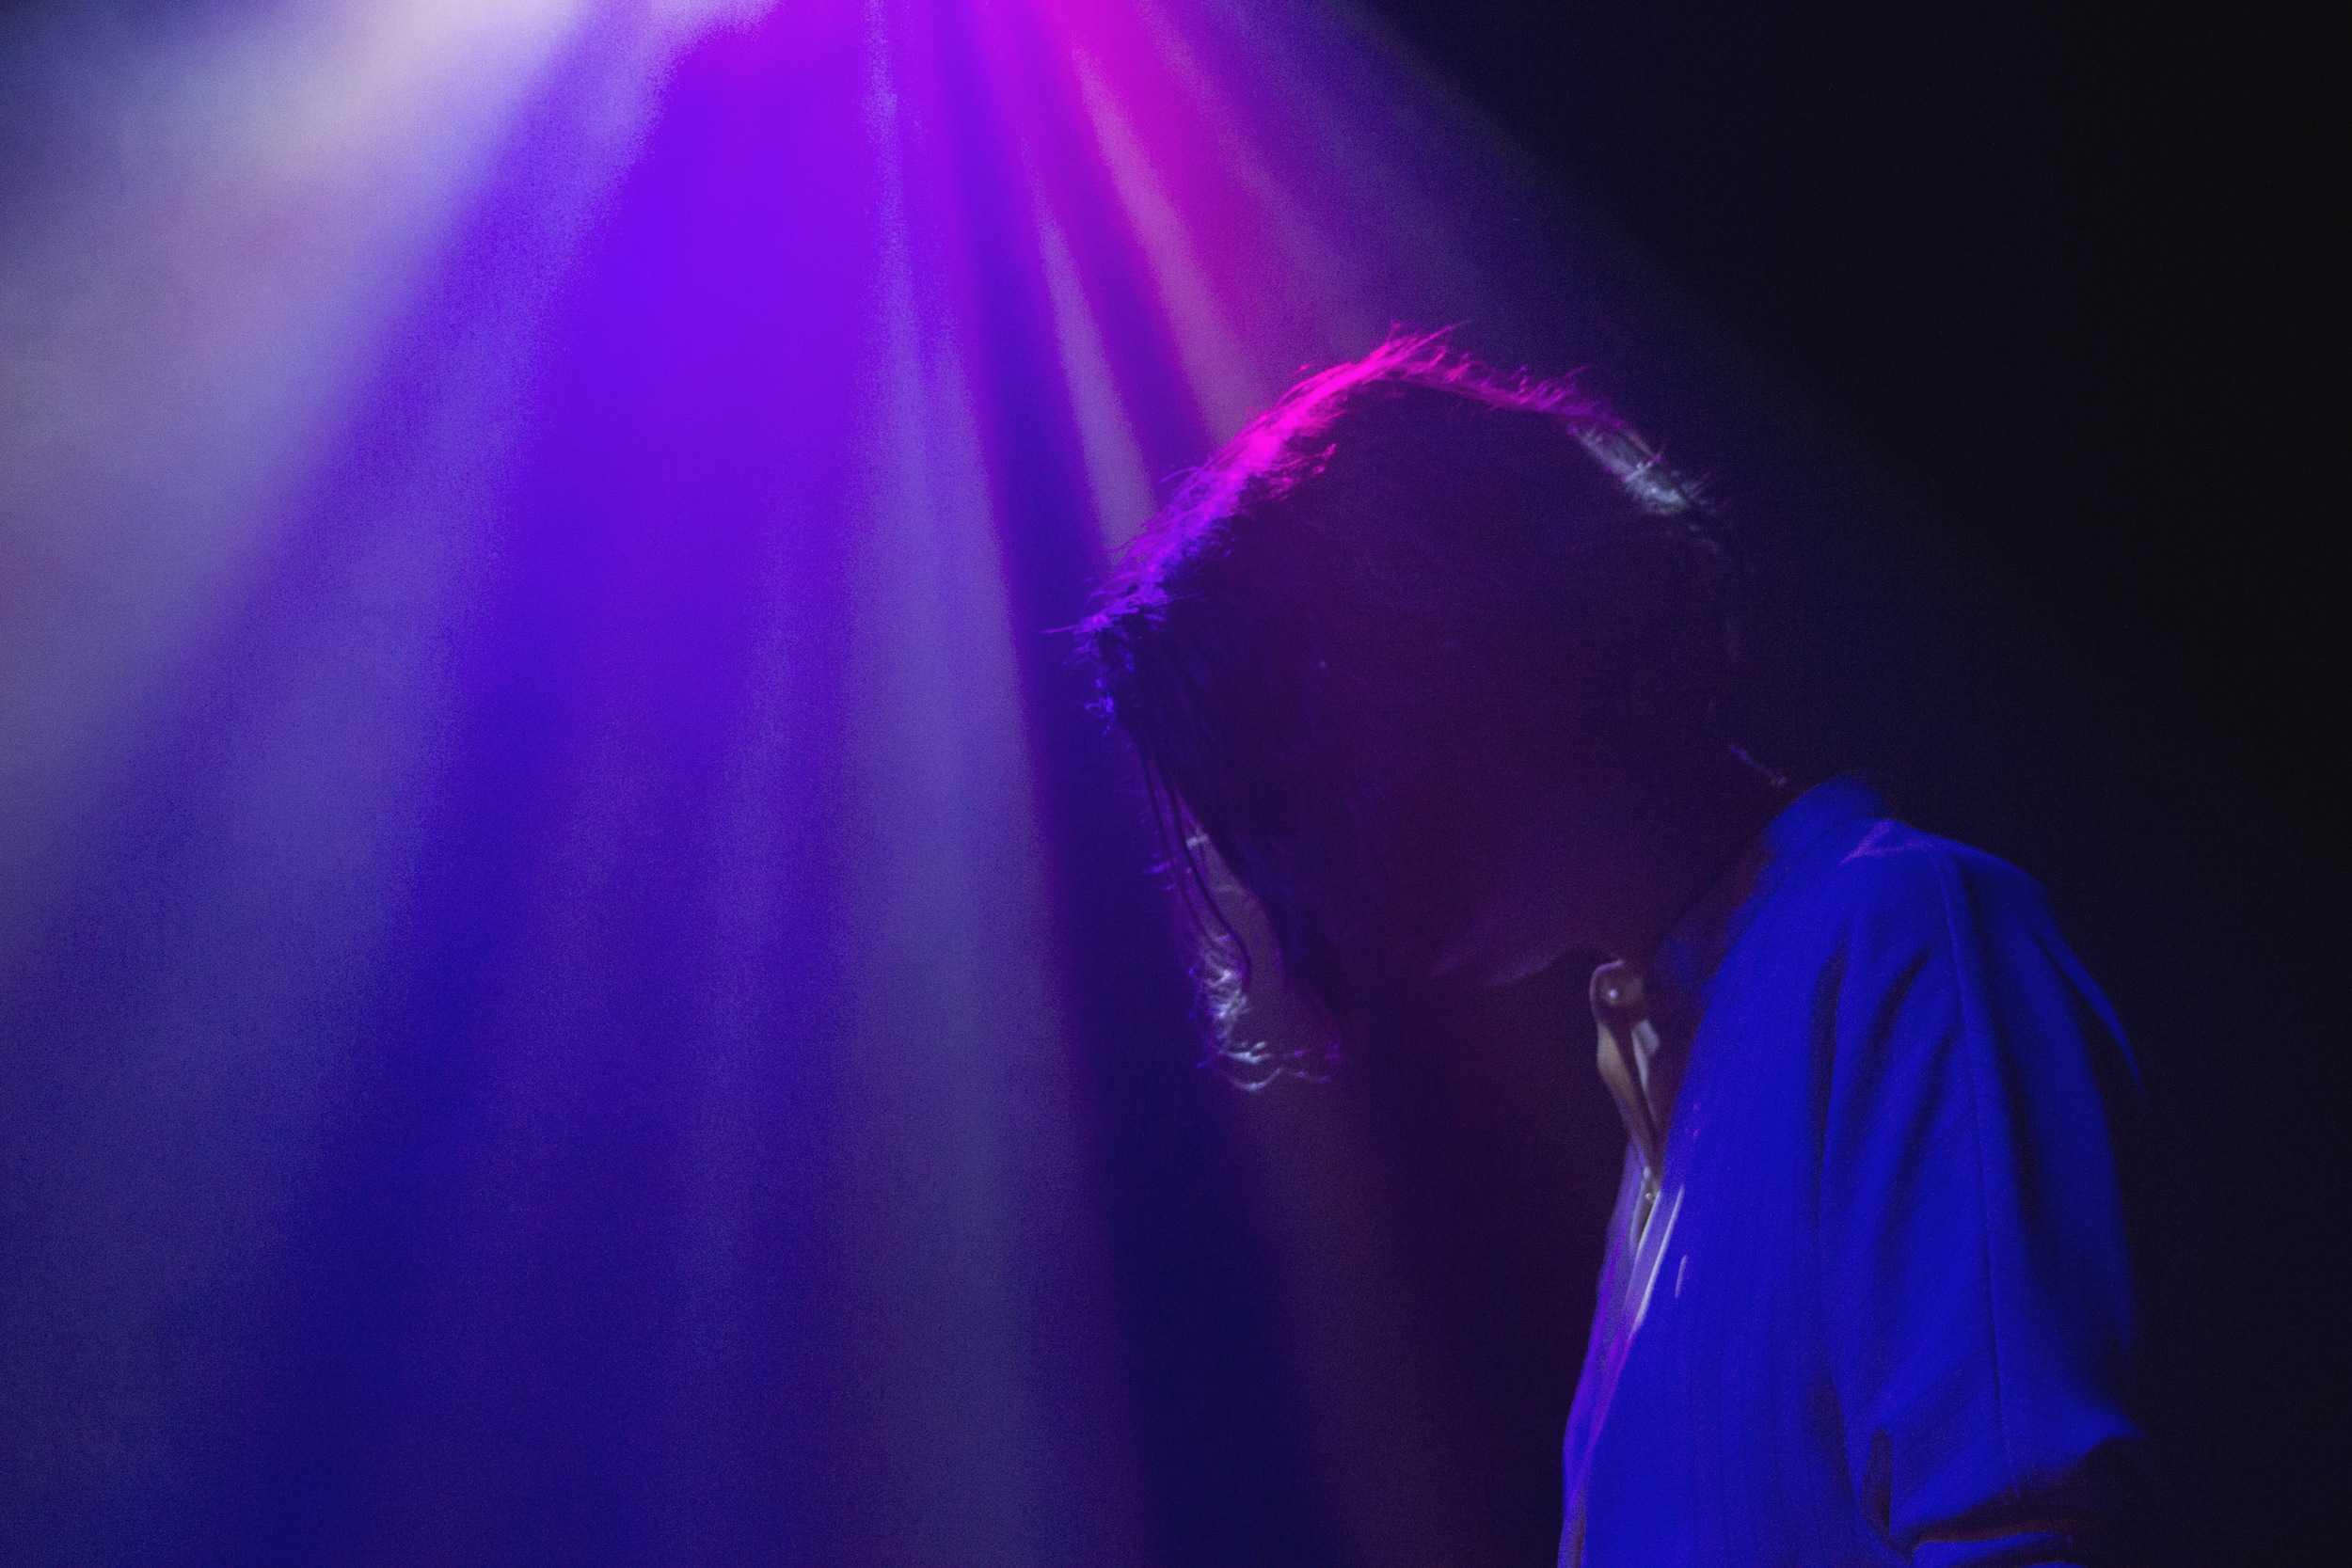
{"x": 1405, "y": 563}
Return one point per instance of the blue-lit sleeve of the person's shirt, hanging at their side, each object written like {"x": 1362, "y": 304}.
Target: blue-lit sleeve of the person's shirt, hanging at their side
{"x": 1972, "y": 1224}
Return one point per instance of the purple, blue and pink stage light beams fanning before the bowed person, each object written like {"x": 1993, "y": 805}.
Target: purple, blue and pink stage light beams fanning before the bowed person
{"x": 556, "y": 855}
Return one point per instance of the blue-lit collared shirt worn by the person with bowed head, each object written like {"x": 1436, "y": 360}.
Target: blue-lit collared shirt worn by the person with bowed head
{"x": 1866, "y": 1294}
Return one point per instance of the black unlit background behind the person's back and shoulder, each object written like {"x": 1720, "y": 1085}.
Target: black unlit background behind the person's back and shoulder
{"x": 2050, "y": 264}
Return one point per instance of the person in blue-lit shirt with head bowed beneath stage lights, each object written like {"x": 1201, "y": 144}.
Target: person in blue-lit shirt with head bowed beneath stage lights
{"x": 1436, "y": 664}
